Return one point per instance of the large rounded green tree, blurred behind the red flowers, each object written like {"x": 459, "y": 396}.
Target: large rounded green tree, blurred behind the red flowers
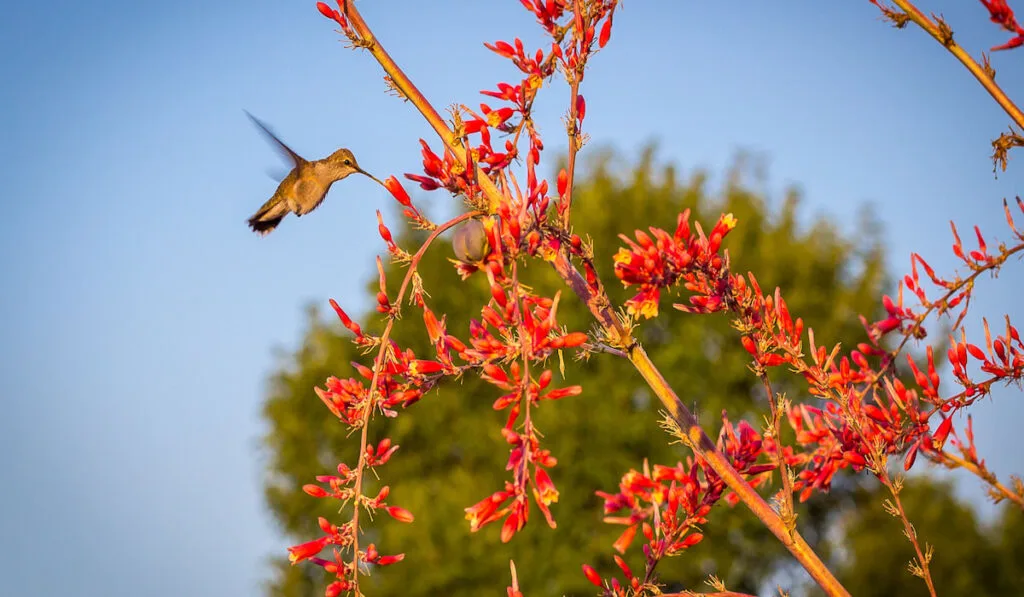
{"x": 452, "y": 452}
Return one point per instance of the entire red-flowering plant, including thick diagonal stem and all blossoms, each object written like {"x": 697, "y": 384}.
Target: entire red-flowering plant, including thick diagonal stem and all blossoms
{"x": 864, "y": 413}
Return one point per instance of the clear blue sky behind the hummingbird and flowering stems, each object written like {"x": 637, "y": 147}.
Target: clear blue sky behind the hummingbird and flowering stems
{"x": 140, "y": 314}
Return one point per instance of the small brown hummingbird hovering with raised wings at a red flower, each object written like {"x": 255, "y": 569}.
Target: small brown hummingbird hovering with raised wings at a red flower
{"x": 306, "y": 187}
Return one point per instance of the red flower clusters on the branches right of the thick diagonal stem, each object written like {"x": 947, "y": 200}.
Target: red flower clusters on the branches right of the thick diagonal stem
{"x": 870, "y": 414}
